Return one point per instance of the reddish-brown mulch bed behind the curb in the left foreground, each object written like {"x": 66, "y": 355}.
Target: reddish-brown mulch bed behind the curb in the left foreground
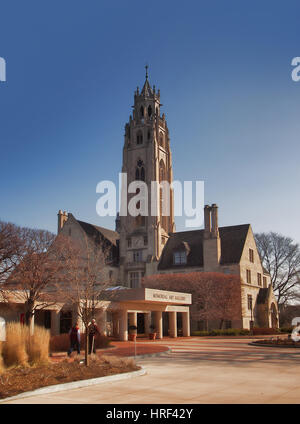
{"x": 22, "y": 379}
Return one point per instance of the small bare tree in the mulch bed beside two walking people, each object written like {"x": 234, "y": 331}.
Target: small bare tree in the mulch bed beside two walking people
{"x": 85, "y": 279}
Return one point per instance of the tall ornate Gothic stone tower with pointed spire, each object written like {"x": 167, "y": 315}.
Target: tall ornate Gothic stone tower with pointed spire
{"x": 146, "y": 157}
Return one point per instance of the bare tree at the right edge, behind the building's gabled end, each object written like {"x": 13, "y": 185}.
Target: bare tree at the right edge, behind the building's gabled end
{"x": 281, "y": 258}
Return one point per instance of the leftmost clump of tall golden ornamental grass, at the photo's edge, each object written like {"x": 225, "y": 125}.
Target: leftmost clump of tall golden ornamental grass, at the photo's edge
{"x": 14, "y": 348}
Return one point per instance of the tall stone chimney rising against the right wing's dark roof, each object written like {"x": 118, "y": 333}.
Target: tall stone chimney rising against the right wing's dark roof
{"x": 211, "y": 239}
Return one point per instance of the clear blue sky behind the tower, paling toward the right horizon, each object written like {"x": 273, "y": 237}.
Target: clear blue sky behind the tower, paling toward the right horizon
{"x": 224, "y": 71}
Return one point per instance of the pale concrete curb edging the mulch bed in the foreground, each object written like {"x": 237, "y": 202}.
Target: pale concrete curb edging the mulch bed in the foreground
{"x": 76, "y": 385}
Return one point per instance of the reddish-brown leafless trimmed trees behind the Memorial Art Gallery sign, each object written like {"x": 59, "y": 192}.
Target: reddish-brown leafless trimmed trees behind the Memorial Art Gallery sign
{"x": 215, "y": 296}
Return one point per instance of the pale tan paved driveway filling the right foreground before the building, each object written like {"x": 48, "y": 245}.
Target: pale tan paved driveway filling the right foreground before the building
{"x": 200, "y": 370}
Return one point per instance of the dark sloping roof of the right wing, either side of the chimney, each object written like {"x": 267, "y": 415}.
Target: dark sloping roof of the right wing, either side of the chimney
{"x": 232, "y": 243}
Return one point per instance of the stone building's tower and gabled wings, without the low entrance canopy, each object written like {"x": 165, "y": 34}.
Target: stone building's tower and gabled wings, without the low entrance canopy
{"x": 146, "y": 245}
